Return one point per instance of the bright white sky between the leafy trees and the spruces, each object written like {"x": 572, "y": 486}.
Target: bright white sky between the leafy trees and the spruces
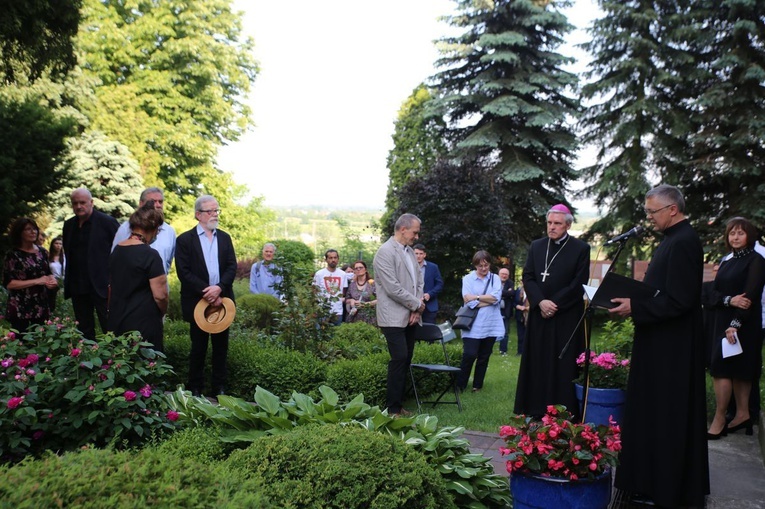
{"x": 332, "y": 79}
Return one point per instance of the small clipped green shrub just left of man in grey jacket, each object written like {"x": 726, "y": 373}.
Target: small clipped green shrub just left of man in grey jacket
{"x": 366, "y": 375}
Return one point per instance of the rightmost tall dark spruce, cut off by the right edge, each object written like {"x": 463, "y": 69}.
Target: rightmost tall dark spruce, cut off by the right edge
{"x": 725, "y": 174}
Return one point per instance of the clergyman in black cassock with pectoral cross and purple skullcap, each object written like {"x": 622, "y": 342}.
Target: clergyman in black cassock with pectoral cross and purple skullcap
{"x": 556, "y": 268}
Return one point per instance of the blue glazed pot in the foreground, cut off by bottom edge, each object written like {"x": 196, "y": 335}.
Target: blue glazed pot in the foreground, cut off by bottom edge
{"x": 537, "y": 492}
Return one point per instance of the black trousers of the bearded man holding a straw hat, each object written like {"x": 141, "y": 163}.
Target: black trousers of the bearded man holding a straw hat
{"x": 199, "y": 340}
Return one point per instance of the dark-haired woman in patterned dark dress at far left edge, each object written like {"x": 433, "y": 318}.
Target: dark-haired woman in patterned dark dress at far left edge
{"x": 27, "y": 277}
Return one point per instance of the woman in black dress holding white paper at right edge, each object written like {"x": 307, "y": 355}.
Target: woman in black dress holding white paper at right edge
{"x": 737, "y": 322}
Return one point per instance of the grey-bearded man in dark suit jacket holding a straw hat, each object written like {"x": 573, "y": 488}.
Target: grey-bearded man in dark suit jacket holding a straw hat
{"x": 206, "y": 266}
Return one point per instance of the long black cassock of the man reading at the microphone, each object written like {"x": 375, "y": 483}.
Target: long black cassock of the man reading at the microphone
{"x": 664, "y": 455}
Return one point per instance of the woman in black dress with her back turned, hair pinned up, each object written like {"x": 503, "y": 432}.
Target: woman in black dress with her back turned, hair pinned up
{"x": 137, "y": 281}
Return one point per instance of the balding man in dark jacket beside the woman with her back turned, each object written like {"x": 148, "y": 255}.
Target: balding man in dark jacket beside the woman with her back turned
{"x": 87, "y": 239}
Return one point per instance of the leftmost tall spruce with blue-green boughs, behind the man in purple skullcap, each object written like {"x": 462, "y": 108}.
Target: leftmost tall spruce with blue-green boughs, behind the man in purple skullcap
{"x": 508, "y": 101}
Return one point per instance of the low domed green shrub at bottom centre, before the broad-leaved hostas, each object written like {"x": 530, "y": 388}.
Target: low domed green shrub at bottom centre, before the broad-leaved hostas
{"x": 336, "y": 466}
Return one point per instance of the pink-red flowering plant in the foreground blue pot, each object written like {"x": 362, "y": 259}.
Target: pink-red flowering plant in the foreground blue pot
{"x": 557, "y": 447}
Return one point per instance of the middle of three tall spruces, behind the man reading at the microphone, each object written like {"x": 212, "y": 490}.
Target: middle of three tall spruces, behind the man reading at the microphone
{"x": 637, "y": 115}
